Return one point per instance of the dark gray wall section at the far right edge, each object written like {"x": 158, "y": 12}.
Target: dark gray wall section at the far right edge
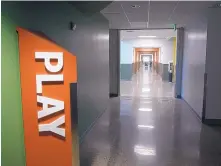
{"x": 213, "y": 65}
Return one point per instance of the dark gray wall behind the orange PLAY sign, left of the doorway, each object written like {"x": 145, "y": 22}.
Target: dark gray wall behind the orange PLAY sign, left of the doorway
{"x": 89, "y": 42}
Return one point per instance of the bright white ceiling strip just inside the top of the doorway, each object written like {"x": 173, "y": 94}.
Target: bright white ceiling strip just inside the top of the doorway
{"x": 160, "y": 34}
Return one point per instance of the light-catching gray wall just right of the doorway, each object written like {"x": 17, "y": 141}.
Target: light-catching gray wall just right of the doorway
{"x": 194, "y": 55}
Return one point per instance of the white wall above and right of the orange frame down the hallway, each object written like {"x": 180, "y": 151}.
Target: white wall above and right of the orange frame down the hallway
{"x": 166, "y": 51}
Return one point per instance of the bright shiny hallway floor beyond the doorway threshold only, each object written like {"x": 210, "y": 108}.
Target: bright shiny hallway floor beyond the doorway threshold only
{"x": 146, "y": 83}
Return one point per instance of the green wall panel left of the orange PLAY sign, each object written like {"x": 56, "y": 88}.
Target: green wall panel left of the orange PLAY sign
{"x": 13, "y": 152}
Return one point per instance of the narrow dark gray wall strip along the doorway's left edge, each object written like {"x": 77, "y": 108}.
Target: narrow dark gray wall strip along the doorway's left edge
{"x": 114, "y": 61}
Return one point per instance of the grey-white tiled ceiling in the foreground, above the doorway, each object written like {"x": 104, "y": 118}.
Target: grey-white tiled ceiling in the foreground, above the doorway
{"x": 154, "y": 14}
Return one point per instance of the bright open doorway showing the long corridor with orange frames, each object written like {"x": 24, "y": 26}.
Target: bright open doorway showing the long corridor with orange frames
{"x": 150, "y": 63}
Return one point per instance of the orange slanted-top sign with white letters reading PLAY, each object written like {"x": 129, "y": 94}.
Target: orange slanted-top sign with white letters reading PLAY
{"x": 47, "y": 72}
